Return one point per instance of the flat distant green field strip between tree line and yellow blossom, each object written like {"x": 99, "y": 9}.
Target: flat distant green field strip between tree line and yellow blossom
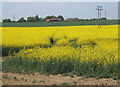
{"x": 63, "y": 23}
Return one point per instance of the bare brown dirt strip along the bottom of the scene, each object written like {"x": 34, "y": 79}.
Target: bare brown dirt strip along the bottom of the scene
{"x": 37, "y": 79}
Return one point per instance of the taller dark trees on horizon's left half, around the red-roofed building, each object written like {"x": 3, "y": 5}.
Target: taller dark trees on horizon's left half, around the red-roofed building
{"x": 35, "y": 19}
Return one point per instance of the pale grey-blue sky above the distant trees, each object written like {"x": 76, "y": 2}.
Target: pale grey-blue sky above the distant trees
{"x": 67, "y": 9}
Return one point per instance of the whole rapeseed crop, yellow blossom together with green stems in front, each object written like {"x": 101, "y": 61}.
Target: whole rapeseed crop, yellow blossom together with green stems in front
{"x": 64, "y": 49}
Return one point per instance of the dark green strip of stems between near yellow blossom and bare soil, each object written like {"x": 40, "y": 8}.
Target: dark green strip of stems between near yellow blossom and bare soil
{"x": 89, "y": 69}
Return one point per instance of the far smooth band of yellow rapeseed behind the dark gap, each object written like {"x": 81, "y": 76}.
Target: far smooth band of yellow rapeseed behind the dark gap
{"x": 25, "y": 36}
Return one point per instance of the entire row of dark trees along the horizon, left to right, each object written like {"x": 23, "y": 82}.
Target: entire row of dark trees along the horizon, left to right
{"x": 37, "y": 19}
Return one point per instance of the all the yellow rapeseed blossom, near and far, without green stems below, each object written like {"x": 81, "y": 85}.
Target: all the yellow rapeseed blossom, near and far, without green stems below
{"x": 35, "y": 36}
